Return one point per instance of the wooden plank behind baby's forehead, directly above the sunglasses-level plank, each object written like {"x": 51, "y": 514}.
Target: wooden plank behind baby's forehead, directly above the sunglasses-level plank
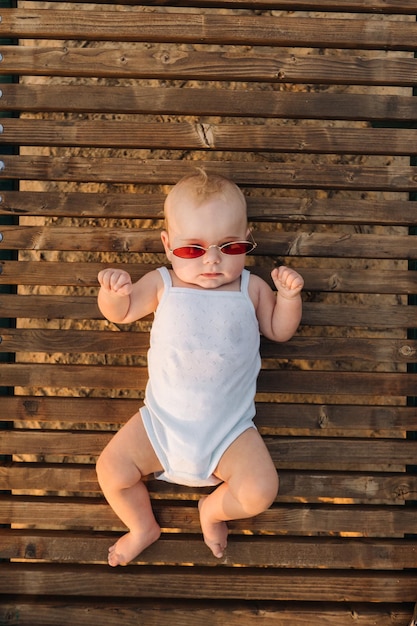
{"x": 260, "y": 208}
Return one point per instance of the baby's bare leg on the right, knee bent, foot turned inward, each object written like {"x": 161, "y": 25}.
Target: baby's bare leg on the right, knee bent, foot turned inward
{"x": 249, "y": 488}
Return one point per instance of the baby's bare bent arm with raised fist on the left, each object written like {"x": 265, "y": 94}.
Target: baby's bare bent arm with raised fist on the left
{"x": 122, "y": 301}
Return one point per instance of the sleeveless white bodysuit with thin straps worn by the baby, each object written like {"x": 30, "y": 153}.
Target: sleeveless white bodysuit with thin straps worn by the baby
{"x": 203, "y": 364}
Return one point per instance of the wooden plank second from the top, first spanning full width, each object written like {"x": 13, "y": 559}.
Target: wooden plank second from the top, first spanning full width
{"x": 209, "y": 28}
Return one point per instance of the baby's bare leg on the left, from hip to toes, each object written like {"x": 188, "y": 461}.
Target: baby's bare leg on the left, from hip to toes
{"x": 120, "y": 468}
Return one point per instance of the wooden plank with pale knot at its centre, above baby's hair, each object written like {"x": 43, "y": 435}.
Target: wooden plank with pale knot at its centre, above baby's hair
{"x": 208, "y": 136}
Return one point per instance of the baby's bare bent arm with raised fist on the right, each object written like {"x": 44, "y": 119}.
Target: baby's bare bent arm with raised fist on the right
{"x": 279, "y": 315}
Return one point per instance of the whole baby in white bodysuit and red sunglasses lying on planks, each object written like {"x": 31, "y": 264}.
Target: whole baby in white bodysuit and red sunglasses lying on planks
{"x": 196, "y": 426}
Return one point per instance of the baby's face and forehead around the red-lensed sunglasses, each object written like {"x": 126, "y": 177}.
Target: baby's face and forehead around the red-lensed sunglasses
{"x": 216, "y": 221}
